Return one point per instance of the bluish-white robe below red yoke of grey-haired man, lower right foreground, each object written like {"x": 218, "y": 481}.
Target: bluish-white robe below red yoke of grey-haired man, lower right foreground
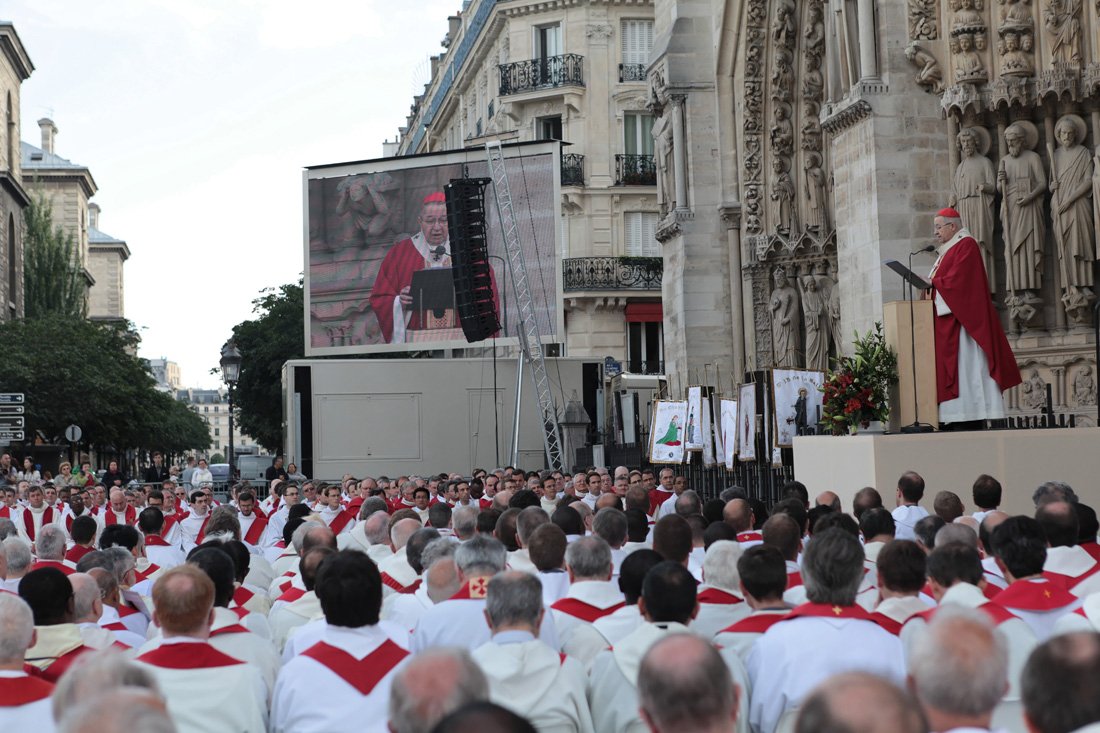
{"x": 795, "y": 657}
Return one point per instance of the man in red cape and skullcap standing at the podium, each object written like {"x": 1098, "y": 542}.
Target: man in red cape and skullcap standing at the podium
{"x": 974, "y": 360}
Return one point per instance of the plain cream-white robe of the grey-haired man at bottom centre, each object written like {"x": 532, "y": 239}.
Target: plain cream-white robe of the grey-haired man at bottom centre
{"x": 535, "y": 682}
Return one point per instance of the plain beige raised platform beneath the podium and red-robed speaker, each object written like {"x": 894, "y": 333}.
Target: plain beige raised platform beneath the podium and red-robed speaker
{"x": 1021, "y": 461}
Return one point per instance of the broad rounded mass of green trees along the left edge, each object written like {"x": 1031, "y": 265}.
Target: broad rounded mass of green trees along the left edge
{"x": 75, "y": 371}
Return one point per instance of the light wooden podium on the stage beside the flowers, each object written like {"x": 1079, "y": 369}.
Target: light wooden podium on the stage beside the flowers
{"x": 896, "y": 324}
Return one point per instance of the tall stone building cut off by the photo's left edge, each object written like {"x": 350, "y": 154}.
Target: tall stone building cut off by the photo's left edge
{"x": 16, "y": 68}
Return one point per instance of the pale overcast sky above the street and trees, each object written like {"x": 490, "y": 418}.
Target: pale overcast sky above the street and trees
{"x": 196, "y": 121}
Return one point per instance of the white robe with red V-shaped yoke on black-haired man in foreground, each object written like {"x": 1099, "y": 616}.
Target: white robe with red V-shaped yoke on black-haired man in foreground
{"x": 311, "y": 697}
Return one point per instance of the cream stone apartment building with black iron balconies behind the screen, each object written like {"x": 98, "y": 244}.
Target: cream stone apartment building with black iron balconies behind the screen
{"x": 571, "y": 71}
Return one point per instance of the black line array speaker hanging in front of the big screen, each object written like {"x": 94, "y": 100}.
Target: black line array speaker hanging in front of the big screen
{"x": 475, "y": 296}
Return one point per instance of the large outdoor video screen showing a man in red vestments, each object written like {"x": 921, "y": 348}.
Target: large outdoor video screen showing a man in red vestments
{"x": 379, "y": 250}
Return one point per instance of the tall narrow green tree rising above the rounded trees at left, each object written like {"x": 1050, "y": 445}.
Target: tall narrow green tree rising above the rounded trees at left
{"x": 52, "y": 279}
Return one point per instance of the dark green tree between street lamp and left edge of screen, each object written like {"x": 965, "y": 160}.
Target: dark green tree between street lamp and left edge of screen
{"x": 267, "y": 343}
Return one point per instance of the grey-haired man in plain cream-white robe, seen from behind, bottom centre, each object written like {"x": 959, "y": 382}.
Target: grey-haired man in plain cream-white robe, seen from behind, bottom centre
{"x": 525, "y": 675}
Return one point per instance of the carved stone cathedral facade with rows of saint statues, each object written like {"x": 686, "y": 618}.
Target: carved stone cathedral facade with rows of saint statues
{"x": 801, "y": 144}
